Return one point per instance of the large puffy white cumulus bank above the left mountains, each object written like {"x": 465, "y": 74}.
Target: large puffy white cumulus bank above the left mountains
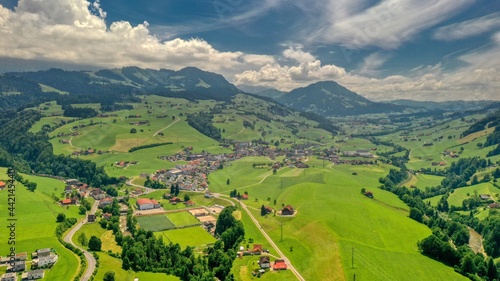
{"x": 76, "y": 32}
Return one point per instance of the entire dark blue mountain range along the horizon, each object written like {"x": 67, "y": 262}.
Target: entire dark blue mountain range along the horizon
{"x": 326, "y": 98}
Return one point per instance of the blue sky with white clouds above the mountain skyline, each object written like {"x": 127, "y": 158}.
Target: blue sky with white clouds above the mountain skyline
{"x": 384, "y": 50}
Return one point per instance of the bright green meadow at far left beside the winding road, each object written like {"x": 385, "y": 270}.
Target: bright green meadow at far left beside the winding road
{"x": 36, "y": 214}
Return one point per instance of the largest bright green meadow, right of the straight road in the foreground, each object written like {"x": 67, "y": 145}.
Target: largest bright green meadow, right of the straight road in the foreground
{"x": 333, "y": 217}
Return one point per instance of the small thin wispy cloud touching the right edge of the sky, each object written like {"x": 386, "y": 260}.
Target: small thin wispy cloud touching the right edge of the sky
{"x": 468, "y": 28}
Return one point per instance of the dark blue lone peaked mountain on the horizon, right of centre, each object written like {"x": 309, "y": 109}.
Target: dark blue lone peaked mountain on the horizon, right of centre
{"x": 328, "y": 98}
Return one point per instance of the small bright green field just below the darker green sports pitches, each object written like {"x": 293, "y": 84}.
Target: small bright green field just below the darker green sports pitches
{"x": 189, "y": 236}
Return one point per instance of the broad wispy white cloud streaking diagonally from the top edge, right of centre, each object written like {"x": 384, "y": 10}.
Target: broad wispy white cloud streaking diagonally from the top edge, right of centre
{"x": 387, "y": 24}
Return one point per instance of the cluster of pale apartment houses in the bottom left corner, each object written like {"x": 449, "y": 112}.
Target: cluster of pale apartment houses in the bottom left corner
{"x": 41, "y": 258}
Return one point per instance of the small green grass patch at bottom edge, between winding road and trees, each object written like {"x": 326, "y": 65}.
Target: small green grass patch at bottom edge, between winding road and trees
{"x": 115, "y": 265}
